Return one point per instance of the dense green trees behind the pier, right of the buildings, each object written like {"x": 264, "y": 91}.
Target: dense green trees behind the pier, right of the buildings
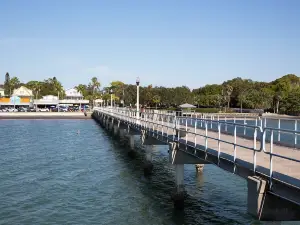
{"x": 279, "y": 96}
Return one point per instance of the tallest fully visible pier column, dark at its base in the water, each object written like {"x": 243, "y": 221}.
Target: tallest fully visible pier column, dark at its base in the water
{"x": 179, "y": 192}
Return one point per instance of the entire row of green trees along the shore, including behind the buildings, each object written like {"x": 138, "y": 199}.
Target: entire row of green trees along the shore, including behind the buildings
{"x": 280, "y": 96}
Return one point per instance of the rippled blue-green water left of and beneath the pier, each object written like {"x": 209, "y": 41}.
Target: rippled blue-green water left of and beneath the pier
{"x": 74, "y": 172}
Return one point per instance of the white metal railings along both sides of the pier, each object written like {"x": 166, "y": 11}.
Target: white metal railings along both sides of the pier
{"x": 168, "y": 121}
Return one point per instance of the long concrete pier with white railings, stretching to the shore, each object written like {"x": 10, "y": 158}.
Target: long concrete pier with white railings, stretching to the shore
{"x": 251, "y": 151}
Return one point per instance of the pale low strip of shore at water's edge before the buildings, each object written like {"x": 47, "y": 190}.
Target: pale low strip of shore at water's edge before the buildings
{"x": 44, "y": 115}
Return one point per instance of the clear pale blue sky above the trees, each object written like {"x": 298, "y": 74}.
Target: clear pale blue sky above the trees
{"x": 164, "y": 42}
